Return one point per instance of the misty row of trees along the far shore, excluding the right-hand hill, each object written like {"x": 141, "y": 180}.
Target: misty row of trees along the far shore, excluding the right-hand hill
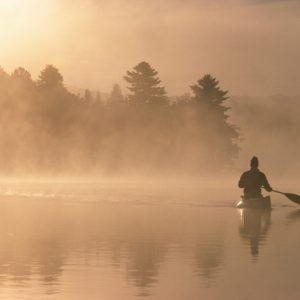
{"x": 46, "y": 128}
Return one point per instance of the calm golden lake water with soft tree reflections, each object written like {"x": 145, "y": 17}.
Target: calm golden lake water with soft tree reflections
{"x": 119, "y": 241}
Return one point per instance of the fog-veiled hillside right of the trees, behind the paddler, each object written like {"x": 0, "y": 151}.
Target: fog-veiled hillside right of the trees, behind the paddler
{"x": 270, "y": 129}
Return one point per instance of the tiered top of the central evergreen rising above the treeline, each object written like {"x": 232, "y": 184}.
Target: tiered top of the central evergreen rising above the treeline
{"x": 144, "y": 85}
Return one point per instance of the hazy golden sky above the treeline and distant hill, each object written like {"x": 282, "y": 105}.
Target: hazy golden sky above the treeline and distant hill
{"x": 251, "y": 46}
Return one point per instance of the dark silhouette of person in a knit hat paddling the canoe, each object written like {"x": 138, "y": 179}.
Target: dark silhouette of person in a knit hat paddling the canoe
{"x": 253, "y": 180}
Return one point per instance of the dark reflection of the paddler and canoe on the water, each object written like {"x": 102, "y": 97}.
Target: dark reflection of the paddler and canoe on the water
{"x": 254, "y": 227}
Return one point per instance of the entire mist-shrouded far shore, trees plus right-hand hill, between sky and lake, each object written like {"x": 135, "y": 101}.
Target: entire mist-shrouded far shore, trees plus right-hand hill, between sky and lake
{"x": 48, "y": 130}
